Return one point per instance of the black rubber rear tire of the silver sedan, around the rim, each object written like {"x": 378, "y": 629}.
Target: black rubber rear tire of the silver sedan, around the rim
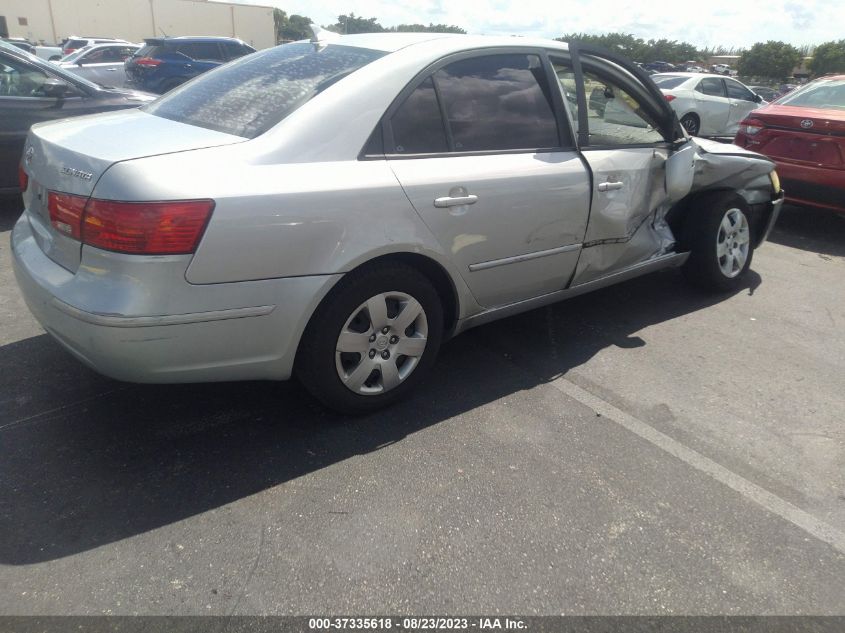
{"x": 318, "y": 362}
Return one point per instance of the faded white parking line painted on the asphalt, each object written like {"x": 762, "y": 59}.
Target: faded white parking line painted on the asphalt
{"x": 747, "y": 489}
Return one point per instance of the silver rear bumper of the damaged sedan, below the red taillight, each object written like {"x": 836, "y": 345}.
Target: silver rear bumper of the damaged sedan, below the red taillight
{"x": 242, "y": 331}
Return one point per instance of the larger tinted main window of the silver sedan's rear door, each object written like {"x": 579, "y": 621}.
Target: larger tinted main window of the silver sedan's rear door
{"x": 498, "y": 102}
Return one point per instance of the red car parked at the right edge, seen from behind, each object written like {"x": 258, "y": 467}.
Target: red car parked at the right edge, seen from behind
{"x": 804, "y": 133}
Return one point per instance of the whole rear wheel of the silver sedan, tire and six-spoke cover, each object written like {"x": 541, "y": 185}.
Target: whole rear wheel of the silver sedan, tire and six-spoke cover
{"x": 372, "y": 340}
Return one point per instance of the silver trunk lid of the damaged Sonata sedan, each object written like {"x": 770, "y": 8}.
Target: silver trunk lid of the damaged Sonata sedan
{"x": 70, "y": 157}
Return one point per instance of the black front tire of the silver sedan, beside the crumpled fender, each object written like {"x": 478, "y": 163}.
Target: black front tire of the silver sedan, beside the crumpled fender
{"x": 705, "y": 237}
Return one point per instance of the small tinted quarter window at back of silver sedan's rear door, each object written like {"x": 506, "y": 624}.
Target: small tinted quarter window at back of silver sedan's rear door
{"x": 417, "y": 125}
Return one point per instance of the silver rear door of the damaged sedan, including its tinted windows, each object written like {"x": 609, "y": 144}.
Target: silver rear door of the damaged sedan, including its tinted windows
{"x": 492, "y": 172}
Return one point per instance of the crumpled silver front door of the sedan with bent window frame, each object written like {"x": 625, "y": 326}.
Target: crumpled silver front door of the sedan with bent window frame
{"x": 629, "y": 158}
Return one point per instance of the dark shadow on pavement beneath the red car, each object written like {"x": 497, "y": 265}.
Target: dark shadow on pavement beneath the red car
{"x": 816, "y": 230}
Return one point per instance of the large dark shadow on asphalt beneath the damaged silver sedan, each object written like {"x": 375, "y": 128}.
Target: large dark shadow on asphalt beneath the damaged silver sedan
{"x": 86, "y": 461}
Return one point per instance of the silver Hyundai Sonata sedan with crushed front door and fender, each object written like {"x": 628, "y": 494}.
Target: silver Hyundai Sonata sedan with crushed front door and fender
{"x": 336, "y": 209}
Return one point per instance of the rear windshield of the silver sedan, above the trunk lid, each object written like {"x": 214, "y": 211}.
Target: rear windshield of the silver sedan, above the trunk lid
{"x": 249, "y": 96}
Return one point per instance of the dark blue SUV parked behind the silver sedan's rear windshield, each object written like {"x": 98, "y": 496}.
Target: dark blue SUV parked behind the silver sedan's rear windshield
{"x": 165, "y": 62}
